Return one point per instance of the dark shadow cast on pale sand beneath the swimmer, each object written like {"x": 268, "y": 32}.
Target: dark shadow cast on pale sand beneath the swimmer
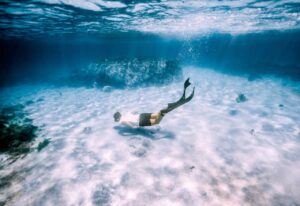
{"x": 151, "y": 133}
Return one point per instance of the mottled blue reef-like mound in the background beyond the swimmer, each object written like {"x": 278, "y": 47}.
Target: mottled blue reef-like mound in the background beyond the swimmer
{"x": 125, "y": 73}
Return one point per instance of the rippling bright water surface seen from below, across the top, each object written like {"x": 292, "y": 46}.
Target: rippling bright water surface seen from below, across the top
{"x": 173, "y": 18}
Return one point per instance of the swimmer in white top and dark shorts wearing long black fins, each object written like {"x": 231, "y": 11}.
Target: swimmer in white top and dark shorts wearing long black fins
{"x": 150, "y": 119}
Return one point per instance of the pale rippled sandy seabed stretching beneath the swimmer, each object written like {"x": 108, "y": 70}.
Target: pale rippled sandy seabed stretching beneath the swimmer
{"x": 212, "y": 151}
